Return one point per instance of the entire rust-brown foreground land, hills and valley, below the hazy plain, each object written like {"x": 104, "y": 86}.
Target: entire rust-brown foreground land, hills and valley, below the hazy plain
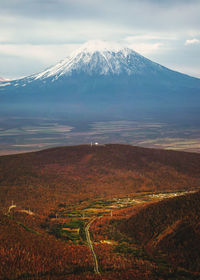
{"x": 141, "y": 208}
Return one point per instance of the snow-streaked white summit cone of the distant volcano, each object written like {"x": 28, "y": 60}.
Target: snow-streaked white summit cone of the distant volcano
{"x": 98, "y": 57}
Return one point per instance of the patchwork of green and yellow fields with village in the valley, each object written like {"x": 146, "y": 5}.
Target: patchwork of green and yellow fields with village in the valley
{"x": 68, "y": 221}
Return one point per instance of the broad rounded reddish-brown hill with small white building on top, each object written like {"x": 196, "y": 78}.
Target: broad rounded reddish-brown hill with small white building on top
{"x": 43, "y": 179}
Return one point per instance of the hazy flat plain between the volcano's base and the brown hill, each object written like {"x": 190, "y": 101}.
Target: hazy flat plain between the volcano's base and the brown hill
{"x": 32, "y": 134}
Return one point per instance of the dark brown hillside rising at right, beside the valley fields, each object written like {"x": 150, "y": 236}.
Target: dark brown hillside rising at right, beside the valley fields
{"x": 170, "y": 227}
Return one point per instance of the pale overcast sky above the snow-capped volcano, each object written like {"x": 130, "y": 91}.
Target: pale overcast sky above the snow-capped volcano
{"x": 35, "y": 34}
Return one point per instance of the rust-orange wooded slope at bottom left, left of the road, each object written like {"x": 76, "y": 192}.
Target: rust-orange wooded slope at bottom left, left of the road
{"x": 23, "y": 252}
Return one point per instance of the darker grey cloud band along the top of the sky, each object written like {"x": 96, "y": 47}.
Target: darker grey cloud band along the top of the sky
{"x": 135, "y": 12}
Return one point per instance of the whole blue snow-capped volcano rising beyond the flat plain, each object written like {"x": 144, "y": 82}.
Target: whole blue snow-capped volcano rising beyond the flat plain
{"x": 102, "y": 80}
